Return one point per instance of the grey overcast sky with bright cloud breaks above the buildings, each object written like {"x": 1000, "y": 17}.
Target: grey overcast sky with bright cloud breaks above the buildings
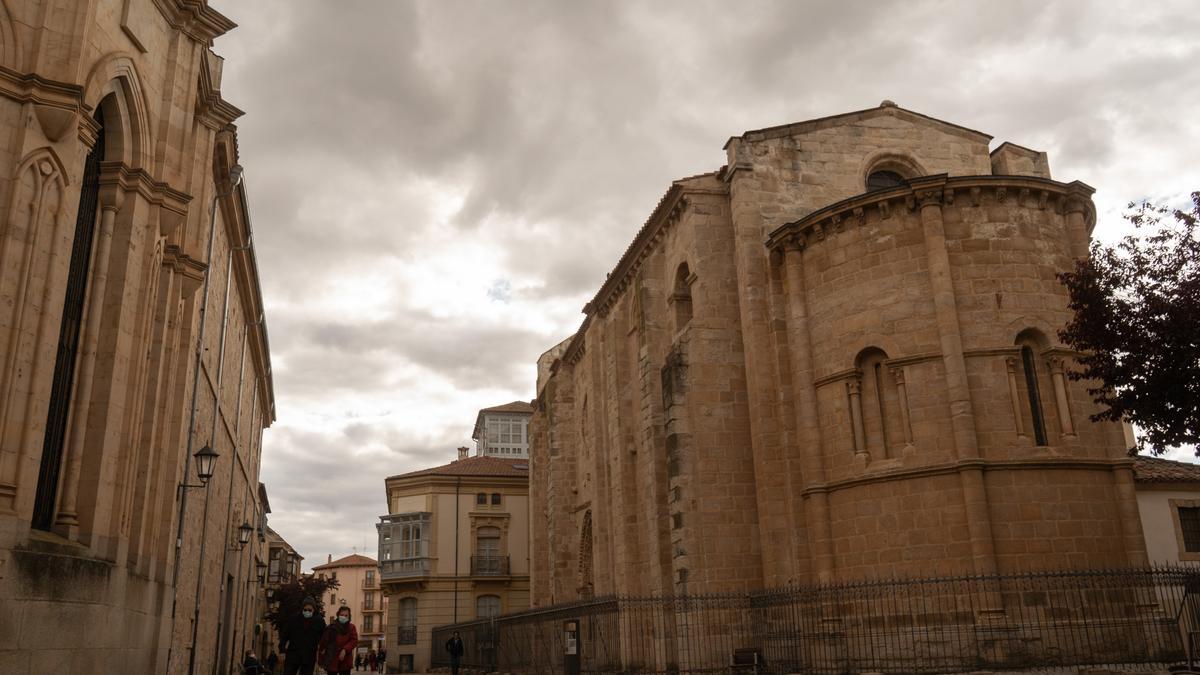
{"x": 437, "y": 188}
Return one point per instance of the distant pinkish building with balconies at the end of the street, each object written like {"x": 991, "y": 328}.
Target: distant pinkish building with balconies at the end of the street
{"x": 358, "y": 578}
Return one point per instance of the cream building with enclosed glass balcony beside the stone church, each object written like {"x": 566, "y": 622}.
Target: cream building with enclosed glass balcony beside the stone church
{"x": 454, "y": 546}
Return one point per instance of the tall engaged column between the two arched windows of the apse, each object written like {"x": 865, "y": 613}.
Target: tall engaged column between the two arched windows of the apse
{"x": 975, "y": 494}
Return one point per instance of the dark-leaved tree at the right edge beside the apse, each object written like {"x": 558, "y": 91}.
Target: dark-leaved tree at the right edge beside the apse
{"x": 1138, "y": 326}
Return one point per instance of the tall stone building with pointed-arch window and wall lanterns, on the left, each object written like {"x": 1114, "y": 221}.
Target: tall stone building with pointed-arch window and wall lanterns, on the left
{"x": 131, "y": 339}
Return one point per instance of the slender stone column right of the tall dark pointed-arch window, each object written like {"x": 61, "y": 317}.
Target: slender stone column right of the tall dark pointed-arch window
{"x": 68, "y": 519}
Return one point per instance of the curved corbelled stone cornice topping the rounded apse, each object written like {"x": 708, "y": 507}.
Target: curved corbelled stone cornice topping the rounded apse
{"x": 939, "y": 190}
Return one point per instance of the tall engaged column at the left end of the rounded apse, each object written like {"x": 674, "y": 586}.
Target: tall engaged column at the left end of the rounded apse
{"x": 808, "y": 426}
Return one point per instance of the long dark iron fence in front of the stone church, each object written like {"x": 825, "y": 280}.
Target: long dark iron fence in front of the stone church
{"x": 1114, "y": 618}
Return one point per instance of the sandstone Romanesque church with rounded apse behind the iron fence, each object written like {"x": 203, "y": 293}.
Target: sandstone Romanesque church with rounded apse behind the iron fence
{"x": 835, "y": 359}
